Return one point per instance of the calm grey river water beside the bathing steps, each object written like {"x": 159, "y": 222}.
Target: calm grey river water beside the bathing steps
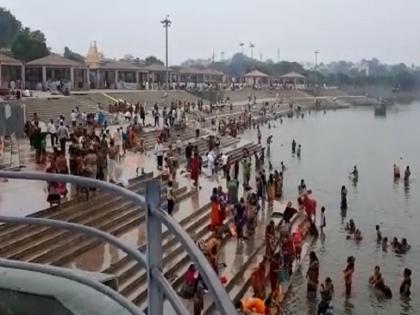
{"x": 331, "y": 144}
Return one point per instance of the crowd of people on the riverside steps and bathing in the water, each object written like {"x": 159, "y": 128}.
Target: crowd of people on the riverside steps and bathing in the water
{"x": 94, "y": 151}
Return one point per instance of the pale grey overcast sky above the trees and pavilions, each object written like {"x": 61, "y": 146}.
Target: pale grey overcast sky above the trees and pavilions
{"x": 339, "y": 29}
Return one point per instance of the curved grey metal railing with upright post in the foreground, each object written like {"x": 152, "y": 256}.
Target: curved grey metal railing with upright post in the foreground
{"x": 158, "y": 287}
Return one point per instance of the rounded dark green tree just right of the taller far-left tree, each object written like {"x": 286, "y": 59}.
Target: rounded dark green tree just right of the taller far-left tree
{"x": 29, "y": 45}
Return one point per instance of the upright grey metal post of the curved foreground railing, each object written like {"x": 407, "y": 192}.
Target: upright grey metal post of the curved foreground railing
{"x": 154, "y": 247}
